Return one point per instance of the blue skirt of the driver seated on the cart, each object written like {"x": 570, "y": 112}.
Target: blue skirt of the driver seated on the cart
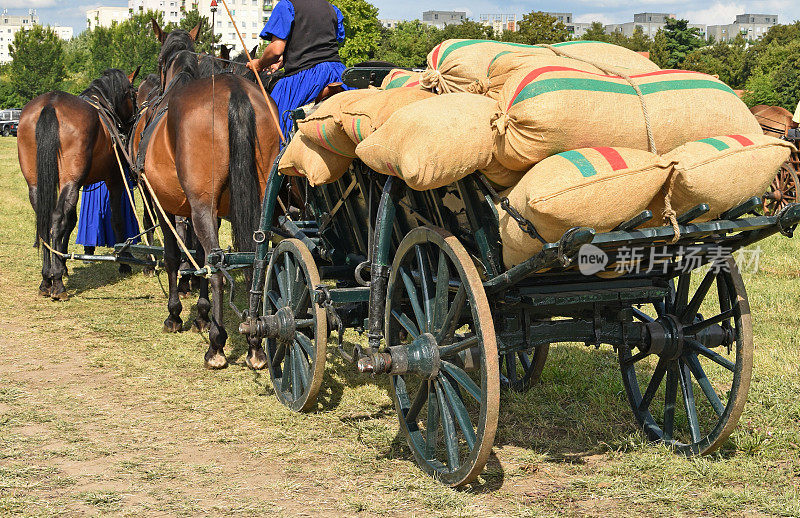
{"x": 303, "y": 88}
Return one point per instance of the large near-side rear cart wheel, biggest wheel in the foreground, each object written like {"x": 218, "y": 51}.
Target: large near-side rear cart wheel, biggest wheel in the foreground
{"x": 435, "y": 295}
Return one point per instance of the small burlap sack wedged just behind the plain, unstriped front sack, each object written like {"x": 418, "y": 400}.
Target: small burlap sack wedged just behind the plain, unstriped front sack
{"x": 361, "y": 118}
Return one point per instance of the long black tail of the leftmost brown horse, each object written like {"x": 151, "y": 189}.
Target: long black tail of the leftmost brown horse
{"x": 48, "y": 146}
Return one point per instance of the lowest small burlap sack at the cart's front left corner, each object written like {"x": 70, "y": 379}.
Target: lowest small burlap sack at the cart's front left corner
{"x": 304, "y": 158}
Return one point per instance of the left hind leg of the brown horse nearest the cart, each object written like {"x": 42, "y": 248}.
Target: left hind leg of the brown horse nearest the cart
{"x": 206, "y": 230}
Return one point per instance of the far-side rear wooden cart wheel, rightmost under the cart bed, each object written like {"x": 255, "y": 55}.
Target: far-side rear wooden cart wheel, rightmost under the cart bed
{"x": 709, "y": 368}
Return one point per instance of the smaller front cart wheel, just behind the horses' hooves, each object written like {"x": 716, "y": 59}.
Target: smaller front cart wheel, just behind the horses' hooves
{"x": 296, "y": 361}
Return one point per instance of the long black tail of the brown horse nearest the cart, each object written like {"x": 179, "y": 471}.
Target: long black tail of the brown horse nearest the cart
{"x": 243, "y": 180}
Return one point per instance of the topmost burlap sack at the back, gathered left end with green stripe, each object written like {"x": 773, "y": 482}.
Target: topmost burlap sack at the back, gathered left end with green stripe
{"x": 462, "y": 65}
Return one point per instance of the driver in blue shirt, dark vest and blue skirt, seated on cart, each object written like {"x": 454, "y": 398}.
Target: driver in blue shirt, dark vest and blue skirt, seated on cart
{"x": 304, "y": 40}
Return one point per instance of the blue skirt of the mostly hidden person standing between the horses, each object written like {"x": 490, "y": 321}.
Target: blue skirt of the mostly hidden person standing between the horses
{"x": 94, "y": 217}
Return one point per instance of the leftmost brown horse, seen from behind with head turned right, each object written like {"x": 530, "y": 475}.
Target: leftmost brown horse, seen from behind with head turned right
{"x": 63, "y": 145}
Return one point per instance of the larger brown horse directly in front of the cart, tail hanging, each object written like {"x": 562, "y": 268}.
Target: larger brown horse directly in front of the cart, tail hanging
{"x": 209, "y": 156}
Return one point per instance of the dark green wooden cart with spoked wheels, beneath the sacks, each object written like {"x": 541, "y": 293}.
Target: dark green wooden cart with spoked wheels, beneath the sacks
{"x": 421, "y": 274}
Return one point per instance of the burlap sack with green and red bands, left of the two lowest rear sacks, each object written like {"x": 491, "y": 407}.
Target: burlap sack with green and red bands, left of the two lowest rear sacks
{"x": 595, "y": 187}
